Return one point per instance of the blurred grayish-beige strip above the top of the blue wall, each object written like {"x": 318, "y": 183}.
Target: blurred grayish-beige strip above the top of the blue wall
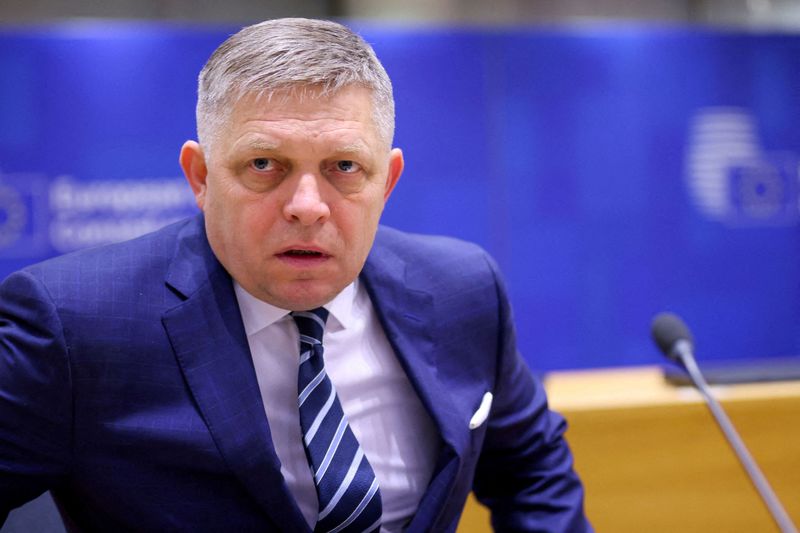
{"x": 773, "y": 13}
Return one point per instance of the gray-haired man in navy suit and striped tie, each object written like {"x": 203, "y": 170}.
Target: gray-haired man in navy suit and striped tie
{"x": 177, "y": 381}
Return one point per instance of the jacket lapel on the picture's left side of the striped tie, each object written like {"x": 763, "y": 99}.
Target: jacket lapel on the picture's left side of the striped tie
{"x": 211, "y": 347}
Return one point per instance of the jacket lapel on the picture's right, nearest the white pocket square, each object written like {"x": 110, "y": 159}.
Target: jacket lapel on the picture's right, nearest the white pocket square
{"x": 408, "y": 316}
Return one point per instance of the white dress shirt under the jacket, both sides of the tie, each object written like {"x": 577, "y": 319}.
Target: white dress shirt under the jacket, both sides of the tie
{"x": 386, "y": 415}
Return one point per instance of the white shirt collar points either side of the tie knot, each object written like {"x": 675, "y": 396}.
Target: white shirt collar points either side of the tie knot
{"x": 258, "y": 314}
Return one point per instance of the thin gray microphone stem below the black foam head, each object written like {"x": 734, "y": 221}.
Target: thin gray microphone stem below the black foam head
{"x": 683, "y": 351}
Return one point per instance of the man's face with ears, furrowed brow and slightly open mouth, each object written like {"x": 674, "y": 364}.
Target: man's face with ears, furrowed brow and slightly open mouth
{"x": 292, "y": 193}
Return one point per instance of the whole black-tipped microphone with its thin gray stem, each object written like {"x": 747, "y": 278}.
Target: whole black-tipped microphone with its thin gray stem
{"x": 675, "y": 341}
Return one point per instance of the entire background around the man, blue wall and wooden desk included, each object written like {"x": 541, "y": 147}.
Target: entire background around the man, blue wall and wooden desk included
{"x": 617, "y": 157}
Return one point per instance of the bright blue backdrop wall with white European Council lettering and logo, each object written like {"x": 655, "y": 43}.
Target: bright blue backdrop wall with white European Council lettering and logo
{"x": 613, "y": 171}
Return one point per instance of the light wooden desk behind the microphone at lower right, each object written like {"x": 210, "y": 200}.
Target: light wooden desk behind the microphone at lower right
{"x": 653, "y": 459}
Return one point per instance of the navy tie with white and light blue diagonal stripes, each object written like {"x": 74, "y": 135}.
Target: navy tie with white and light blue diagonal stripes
{"x": 349, "y": 498}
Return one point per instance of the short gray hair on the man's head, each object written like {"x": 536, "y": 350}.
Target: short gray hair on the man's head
{"x": 290, "y": 55}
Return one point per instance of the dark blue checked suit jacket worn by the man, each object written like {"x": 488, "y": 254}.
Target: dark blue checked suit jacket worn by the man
{"x": 128, "y": 390}
